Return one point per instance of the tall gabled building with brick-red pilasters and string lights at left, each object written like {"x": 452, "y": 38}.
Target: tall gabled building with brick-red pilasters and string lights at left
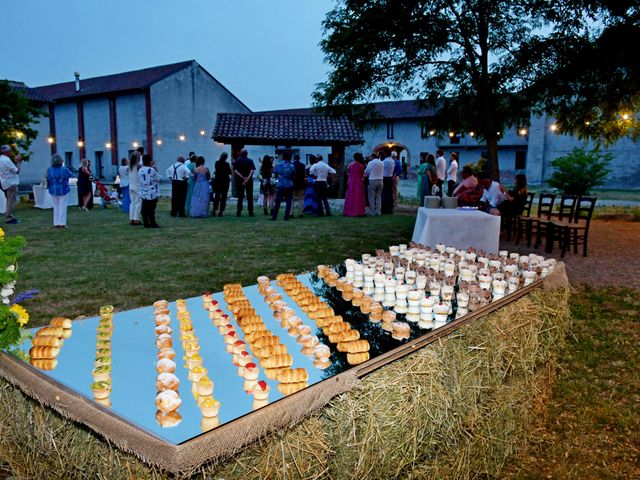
{"x": 166, "y": 109}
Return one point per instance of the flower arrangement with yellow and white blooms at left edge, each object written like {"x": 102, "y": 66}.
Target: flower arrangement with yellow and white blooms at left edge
{"x": 13, "y": 317}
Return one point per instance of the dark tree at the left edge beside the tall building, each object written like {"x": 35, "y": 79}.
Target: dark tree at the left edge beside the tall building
{"x": 17, "y": 116}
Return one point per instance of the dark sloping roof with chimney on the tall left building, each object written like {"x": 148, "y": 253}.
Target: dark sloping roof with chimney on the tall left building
{"x": 134, "y": 80}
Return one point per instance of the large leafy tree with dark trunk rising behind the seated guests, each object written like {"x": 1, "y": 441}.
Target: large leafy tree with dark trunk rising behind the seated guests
{"x": 483, "y": 64}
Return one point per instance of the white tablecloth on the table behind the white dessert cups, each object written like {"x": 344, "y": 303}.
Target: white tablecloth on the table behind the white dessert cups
{"x": 457, "y": 228}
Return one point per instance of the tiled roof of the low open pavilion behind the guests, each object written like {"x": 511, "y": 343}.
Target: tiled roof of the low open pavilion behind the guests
{"x": 299, "y": 130}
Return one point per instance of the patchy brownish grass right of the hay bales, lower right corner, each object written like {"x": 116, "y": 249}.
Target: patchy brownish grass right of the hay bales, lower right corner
{"x": 592, "y": 425}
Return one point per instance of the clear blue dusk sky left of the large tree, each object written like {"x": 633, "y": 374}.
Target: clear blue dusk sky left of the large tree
{"x": 265, "y": 52}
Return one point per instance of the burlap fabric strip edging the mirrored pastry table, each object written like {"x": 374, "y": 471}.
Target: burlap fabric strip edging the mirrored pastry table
{"x": 230, "y": 438}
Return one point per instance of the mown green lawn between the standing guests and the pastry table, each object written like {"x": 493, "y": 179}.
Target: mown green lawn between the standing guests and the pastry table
{"x": 102, "y": 259}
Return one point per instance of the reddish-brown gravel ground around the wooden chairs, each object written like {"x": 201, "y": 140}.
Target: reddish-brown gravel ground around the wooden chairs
{"x": 613, "y": 257}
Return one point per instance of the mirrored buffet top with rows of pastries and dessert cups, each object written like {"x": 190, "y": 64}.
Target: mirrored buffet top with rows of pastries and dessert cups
{"x": 158, "y": 367}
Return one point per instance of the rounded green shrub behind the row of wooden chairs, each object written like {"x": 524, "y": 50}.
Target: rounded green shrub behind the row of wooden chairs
{"x": 579, "y": 171}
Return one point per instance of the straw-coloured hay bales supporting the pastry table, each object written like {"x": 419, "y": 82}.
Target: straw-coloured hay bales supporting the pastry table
{"x": 457, "y": 408}
